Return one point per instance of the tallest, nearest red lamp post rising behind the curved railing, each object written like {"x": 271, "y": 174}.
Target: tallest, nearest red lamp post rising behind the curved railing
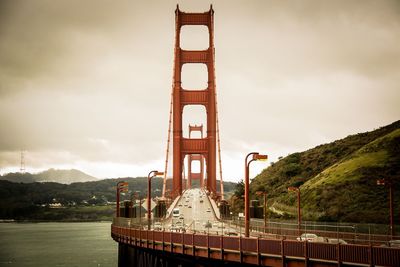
{"x": 256, "y": 156}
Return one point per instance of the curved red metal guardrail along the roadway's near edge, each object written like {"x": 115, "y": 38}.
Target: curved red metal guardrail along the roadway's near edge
{"x": 256, "y": 251}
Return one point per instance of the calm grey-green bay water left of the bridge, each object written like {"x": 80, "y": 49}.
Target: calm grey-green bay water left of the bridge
{"x": 57, "y": 244}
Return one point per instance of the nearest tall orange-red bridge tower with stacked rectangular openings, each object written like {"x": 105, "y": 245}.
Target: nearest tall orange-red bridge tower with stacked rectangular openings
{"x": 190, "y": 96}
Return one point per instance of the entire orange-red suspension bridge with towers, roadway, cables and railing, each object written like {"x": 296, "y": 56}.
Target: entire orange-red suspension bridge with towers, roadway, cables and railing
{"x": 178, "y": 232}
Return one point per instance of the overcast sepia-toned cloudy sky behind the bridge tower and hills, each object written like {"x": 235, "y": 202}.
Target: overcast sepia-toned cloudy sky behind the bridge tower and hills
{"x": 86, "y": 84}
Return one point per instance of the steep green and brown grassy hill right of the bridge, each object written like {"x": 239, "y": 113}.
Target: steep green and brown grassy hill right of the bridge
{"x": 338, "y": 180}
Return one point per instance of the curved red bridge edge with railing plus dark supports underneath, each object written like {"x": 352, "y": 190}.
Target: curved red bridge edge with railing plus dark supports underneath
{"x": 216, "y": 250}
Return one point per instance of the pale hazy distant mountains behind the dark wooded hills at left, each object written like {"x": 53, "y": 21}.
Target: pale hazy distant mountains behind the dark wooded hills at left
{"x": 51, "y": 175}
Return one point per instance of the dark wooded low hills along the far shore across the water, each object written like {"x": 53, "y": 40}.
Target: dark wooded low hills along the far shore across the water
{"x": 94, "y": 200}
